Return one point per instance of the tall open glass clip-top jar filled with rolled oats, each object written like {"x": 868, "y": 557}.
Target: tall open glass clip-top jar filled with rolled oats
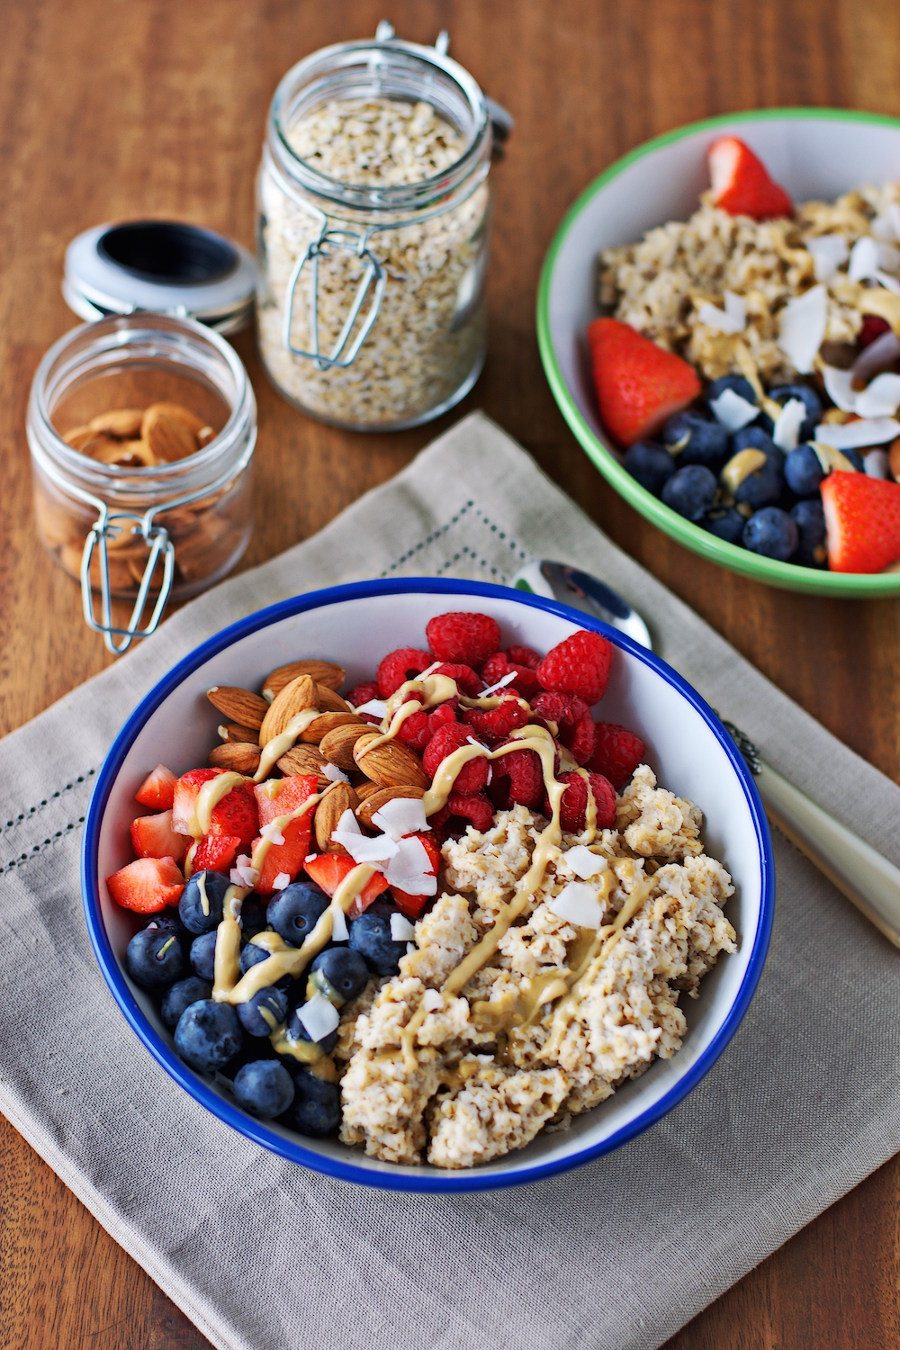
{"x": 373, "y": 234}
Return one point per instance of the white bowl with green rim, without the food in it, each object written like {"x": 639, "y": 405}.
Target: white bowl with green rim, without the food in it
{"x": 816, "y": 153}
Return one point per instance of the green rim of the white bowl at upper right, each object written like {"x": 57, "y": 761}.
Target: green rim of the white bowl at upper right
{"x": 689, "y": 535}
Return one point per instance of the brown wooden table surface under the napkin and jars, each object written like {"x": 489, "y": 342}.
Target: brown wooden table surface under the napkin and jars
{"x": 156, "y": 107}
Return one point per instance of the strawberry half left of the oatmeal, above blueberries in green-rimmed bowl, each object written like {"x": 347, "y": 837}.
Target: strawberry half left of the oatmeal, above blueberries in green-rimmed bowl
{"x": 639, "y": 385}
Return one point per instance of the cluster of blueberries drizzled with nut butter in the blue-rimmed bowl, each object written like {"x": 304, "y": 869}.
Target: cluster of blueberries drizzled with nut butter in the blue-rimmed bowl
{"x": 234, "y": 1042}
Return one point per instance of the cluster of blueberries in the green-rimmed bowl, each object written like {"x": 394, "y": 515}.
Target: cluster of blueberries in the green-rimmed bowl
{"x": 782, "y": 515}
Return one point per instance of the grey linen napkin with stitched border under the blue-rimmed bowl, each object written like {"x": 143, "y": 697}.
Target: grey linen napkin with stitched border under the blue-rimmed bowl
{"x": 805, "y": 1104}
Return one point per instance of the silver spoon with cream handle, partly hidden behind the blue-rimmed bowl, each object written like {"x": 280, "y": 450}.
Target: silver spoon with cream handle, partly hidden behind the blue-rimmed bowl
{"x": 870, "y": 881}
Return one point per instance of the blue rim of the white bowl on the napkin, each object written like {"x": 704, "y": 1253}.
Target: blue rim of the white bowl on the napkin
{"x": 257, "y": 1131}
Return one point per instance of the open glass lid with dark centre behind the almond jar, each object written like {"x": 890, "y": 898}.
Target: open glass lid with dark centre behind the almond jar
{"x": 165, "y": 267}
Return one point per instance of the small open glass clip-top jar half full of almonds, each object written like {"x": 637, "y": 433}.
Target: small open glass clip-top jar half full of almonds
{"x": 142, "y": 433}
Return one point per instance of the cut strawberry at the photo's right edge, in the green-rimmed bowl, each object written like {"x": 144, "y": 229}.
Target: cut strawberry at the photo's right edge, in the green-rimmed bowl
{"x": 863, "y": 523}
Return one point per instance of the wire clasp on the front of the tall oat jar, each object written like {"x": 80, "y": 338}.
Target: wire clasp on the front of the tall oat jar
{"x": 374, "y": 280}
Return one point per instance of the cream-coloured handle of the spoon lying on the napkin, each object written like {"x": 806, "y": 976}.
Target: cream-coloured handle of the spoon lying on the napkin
{"x": 868, "y": 880}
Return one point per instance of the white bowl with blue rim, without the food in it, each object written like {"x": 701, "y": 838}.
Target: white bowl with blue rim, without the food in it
{"x": 687, "y": 749}
